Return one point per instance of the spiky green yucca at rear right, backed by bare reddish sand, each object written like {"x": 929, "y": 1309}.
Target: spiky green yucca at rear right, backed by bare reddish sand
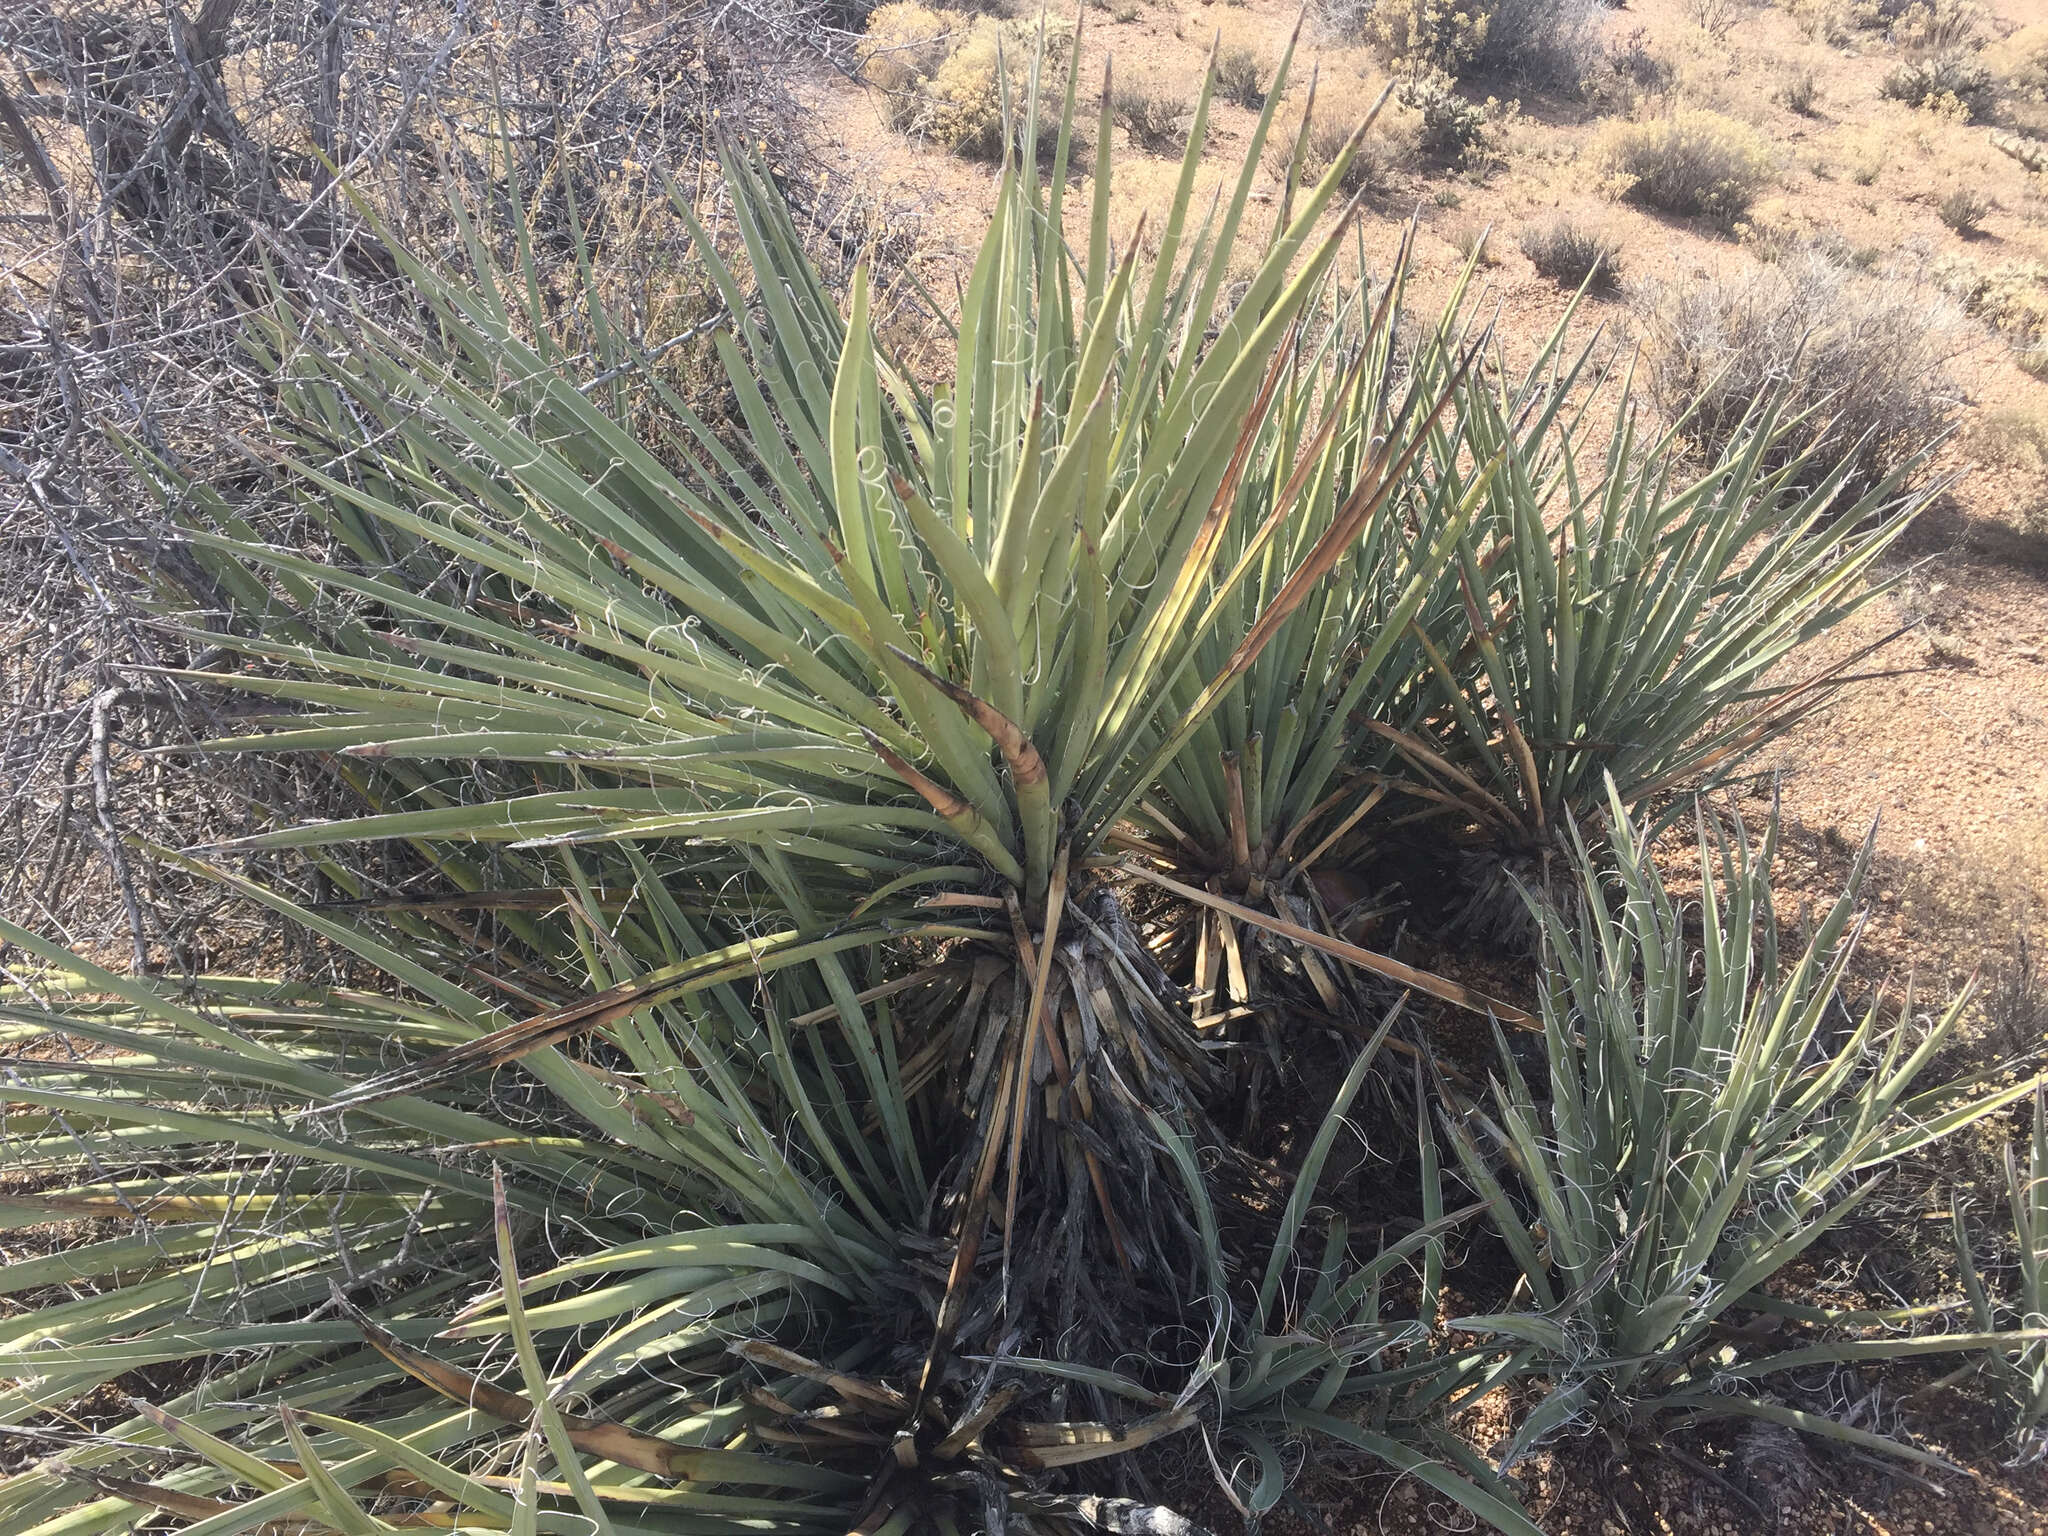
{"x": 1623, "y": 613}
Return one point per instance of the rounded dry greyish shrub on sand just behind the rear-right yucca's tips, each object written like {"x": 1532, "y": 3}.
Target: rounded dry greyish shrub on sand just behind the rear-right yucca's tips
{"x": 1871, "y": 355}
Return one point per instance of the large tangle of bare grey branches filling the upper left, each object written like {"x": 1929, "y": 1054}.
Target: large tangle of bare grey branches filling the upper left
{"x": 179, "y": 142}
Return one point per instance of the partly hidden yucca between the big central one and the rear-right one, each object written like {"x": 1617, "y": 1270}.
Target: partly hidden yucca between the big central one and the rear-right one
{"x": 1273, "y": 785}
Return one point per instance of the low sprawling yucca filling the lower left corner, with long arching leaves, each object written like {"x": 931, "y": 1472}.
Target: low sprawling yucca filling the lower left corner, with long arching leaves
{"x": 286, "y": 1273}
